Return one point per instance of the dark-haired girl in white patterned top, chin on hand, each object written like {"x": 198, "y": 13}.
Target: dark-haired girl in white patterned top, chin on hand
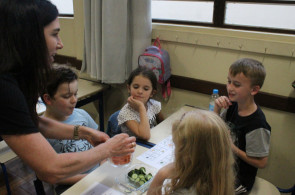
{"x": 141, "y": 113}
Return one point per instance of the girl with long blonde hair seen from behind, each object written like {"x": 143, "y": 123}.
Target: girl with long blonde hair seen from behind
{"x": 203, "y": 158}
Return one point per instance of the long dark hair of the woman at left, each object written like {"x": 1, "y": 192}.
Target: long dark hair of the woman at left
{"x": 23, "y": 48}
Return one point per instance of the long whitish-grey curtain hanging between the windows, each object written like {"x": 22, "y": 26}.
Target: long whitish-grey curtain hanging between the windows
{"x": 116, "y": 33}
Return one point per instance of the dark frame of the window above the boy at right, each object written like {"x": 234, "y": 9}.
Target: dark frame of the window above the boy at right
{"x": 219, "y": 16}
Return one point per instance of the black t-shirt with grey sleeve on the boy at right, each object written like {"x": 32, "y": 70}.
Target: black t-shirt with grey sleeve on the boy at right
{"x": 252, "y": 135}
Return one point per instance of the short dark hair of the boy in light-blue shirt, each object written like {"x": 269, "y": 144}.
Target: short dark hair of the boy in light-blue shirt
{"x": 59, "y": 74}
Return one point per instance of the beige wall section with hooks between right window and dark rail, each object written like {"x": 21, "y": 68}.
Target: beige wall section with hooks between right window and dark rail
{"x": 207, "y": 53}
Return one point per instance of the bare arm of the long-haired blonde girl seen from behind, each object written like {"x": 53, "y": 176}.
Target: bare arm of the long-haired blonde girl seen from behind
{"x": 157, "y": 183}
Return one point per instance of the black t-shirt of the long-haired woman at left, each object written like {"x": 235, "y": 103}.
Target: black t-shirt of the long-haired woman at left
{"x": 15, "y": 117}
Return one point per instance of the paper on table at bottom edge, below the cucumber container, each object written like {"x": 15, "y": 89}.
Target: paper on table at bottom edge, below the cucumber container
{"x": 100, "y": 189}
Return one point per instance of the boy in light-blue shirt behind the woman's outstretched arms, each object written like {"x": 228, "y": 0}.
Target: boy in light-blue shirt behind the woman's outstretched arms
{"x": 60, "y": 99}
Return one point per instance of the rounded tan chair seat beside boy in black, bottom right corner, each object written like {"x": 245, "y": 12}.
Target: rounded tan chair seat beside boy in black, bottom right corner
{"x": 263, "y": 187}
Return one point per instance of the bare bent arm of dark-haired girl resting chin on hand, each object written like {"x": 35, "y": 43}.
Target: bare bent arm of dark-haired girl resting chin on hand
{"x": 141, "y": 129}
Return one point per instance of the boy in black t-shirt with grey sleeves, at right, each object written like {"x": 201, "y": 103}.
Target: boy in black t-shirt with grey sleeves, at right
{"x": 250, "y": 131}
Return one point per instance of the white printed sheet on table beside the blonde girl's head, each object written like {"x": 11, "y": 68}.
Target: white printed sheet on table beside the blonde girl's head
{"x": 159, "y": 155}
